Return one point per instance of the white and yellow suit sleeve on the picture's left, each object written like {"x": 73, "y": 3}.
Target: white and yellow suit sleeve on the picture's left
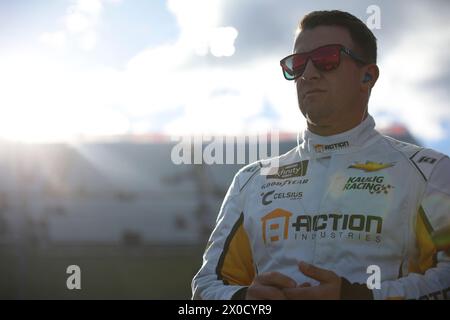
{"x": 227, "y": 262}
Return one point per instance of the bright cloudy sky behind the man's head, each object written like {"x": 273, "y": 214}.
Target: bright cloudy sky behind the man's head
{"x": 100, "y": 67}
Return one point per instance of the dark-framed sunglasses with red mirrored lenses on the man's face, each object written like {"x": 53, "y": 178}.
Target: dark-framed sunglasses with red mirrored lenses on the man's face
{"x": 324, "y": 58}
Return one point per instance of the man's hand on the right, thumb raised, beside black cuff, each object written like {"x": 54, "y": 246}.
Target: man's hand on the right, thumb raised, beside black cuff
{"x": 329, "y": 287}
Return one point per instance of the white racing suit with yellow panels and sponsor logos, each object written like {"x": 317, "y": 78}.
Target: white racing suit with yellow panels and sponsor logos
{"x": 344, "y": 203}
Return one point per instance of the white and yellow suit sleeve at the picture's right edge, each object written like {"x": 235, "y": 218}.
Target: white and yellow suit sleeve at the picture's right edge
{"x": 429, "y": 267}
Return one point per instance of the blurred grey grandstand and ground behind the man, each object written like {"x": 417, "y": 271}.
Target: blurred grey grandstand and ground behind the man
{"x": 133, "y": 221}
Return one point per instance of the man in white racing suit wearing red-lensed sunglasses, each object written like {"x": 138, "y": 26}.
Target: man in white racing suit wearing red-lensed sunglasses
{"x": 348, "y": 213}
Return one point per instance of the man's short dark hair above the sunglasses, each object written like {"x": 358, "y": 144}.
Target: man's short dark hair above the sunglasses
{"x": 360, "y": 34}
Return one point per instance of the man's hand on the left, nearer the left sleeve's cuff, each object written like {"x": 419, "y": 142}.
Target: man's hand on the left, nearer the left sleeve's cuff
{"x": 269, "y": 286}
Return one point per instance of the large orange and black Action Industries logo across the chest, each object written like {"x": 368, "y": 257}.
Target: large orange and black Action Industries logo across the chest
{"x": 279, "y": 224}
